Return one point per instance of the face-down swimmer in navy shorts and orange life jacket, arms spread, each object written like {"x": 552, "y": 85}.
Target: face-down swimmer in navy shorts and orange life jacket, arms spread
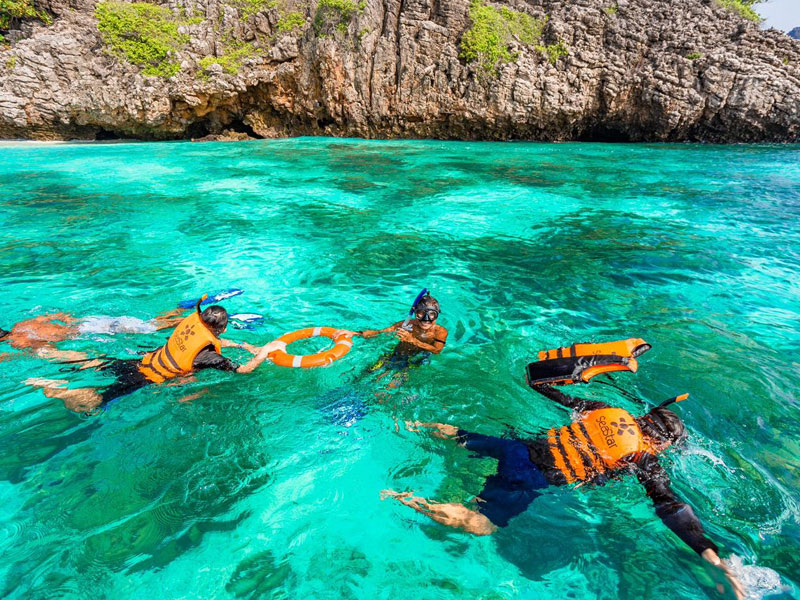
{"x": 601, "y": 443}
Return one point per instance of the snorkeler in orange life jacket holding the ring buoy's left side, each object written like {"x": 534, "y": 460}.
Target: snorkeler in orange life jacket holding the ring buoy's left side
{"x": 194, "y": 345}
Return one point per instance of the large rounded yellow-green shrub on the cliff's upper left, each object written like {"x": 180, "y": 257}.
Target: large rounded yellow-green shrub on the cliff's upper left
{"x": 142, "y": 34}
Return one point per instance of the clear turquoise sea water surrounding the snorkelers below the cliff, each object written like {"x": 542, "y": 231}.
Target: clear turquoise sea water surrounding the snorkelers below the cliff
{"x": 268, "y": 485}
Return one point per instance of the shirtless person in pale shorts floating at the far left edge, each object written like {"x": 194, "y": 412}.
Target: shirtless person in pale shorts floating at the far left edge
{"x": 39, "y": 335}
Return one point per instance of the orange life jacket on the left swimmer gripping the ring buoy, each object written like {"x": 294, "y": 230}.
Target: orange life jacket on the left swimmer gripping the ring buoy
{"x": 175, "y": 358}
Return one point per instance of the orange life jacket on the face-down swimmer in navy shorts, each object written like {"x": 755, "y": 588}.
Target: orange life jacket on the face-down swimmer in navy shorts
{"x": 597, "y": 442}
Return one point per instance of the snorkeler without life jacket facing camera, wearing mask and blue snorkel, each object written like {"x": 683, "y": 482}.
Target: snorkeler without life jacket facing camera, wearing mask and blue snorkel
{"x": 419, "y": 337}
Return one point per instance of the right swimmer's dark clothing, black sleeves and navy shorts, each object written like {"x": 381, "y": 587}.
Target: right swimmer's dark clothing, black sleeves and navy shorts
{"x": 525, "y": 467}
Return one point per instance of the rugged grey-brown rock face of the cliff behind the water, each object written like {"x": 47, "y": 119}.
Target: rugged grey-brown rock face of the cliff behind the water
{"x": 637, "y": 70}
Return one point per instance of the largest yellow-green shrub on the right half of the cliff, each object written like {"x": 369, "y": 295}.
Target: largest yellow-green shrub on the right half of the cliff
{"x": 488, "y": 40}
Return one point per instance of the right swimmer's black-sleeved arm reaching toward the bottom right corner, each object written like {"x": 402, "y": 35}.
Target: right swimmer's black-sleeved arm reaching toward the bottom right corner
{"x": 680, "y": 517}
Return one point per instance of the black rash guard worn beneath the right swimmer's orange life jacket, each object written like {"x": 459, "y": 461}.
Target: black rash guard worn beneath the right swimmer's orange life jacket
{"x": 676, "y": 515}
